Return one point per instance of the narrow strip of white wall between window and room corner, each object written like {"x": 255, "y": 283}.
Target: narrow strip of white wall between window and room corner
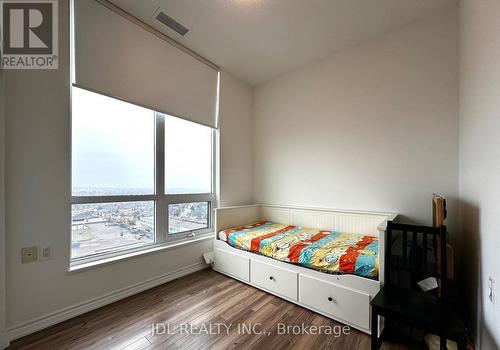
{"x": 236, "y": 158}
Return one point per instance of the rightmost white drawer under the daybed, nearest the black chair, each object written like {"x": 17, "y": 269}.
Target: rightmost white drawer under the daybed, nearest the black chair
{"x": 339, "y": 302}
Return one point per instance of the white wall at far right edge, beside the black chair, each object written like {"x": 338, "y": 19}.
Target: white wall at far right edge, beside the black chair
{"x": 480, "y": 163}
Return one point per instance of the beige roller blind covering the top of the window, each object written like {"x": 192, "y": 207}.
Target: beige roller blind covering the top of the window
{"x": 119, "y": 58}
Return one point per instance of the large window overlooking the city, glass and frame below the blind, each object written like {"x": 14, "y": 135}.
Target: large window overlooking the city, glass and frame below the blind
{"x": 139, "y": 177}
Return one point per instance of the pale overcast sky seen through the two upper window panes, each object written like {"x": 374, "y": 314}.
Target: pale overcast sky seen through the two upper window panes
{"x": 113, "y": 147}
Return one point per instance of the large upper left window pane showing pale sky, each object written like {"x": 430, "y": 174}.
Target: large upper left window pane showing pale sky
{"x": 113, "y": 146}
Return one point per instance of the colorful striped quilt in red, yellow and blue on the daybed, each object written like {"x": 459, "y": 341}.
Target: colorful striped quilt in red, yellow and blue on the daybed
{"x": 326, "y": 251}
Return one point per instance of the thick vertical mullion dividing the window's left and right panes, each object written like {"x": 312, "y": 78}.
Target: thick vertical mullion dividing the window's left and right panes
{"x": 161, "y": 207}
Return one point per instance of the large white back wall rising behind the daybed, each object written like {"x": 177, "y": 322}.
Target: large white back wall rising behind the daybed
{"x": 373, "y": 127}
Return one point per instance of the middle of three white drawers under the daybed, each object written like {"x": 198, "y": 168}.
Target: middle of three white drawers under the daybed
{"x": 275, "y": 279}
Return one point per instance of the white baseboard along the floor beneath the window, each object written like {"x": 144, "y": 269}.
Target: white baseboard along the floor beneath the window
{"x": 92, "y": 304}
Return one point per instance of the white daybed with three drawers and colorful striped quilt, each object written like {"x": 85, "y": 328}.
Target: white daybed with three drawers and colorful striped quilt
{"x": 329, "y": 261}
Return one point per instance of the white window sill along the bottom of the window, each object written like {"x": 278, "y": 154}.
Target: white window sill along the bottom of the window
{"x": 83, "y": 266}
